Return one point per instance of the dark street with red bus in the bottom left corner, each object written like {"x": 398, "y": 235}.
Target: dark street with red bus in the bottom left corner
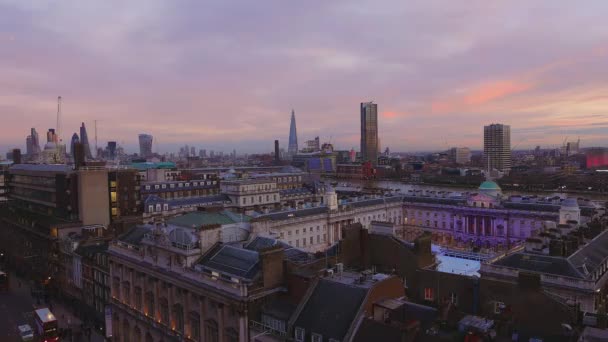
{"x": 17, "y": 307}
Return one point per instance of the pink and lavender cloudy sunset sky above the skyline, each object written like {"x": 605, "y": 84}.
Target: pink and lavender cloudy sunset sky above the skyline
{"x": 225, "y": 74}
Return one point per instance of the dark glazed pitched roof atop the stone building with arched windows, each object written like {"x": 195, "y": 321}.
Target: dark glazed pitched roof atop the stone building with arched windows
{"x": 238, "y": 262}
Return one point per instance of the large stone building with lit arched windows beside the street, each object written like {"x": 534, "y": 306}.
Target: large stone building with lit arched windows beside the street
{"x": 176, "y": 282}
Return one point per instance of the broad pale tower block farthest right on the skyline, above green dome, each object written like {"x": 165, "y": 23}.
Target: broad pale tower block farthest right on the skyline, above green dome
{"x": 497, "y": 147}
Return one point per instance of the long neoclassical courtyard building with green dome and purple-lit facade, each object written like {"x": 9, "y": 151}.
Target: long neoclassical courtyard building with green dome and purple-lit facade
{"x": 484, "y": 217}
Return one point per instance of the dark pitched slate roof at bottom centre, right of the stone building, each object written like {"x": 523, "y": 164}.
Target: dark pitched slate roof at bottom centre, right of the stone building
{"x": 331, "y": 309}
